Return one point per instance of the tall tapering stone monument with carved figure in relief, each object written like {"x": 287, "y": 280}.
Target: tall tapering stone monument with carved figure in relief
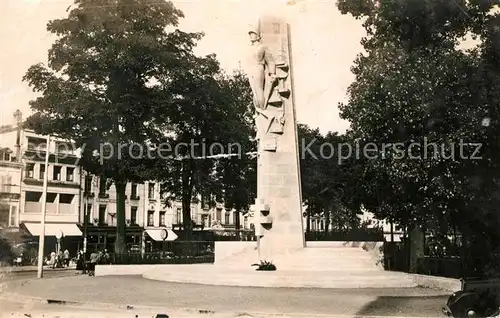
{"x": 278, "y": 207}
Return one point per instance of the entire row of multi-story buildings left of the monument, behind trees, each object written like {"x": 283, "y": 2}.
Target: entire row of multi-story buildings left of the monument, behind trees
{"x": 78, "y": 202}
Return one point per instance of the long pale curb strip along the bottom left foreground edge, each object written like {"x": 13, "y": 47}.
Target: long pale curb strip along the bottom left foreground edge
{"x": 178, "y": 311}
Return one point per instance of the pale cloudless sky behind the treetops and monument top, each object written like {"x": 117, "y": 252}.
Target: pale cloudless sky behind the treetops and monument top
{"x": 324, "y": 45}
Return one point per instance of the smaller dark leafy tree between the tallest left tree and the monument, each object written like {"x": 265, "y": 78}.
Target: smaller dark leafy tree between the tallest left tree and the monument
{"x": 213, "y": 115}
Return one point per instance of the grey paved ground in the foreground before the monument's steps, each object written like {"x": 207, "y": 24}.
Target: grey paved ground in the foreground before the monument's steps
{"x": 134, "y": 290}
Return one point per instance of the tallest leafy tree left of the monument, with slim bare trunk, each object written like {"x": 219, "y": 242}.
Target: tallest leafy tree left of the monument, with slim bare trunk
{"x": 110, "y": 82}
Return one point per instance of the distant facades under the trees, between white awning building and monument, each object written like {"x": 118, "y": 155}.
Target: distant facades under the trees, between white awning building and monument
{"x": 146, "y": 212}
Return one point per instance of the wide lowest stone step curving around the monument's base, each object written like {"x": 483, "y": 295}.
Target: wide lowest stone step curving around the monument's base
{"x": 313, "y": 278}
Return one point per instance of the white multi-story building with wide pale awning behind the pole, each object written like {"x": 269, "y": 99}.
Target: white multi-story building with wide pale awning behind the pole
{"x": 63, "y": 188}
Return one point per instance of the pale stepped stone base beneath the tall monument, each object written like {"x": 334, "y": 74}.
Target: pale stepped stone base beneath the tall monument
{"x": 322, "y": 265}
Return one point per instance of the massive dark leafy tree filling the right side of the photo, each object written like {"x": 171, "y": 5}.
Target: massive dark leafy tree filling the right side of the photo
{"x": 415, "y": 88}
